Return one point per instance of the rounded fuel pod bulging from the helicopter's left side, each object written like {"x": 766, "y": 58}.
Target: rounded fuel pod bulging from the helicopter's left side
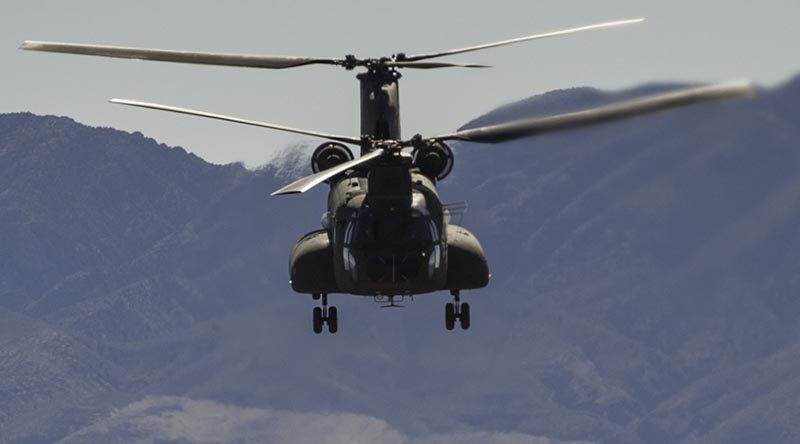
{"x": 311, "y": 264}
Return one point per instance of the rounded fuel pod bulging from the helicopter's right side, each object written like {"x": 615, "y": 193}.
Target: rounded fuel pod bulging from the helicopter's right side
{"x": 467, "y": 267}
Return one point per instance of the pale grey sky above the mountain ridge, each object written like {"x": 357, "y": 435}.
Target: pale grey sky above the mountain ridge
{"x": 682, "y": 40}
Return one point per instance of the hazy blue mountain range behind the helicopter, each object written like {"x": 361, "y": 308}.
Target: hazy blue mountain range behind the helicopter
{"x": 645, "y": 290}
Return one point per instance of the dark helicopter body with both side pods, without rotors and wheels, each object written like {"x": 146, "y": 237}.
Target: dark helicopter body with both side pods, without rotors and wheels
{"x": 387, "y": 241}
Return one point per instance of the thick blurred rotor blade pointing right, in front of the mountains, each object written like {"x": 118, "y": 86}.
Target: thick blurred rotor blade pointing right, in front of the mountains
{"x": 616, "y": 111}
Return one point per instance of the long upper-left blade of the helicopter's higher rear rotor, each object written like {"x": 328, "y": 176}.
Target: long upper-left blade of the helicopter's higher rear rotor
{"x": 161, "y": 55}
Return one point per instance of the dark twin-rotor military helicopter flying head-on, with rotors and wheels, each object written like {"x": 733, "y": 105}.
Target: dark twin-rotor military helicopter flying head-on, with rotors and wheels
{"x": 386, "y": 232}
